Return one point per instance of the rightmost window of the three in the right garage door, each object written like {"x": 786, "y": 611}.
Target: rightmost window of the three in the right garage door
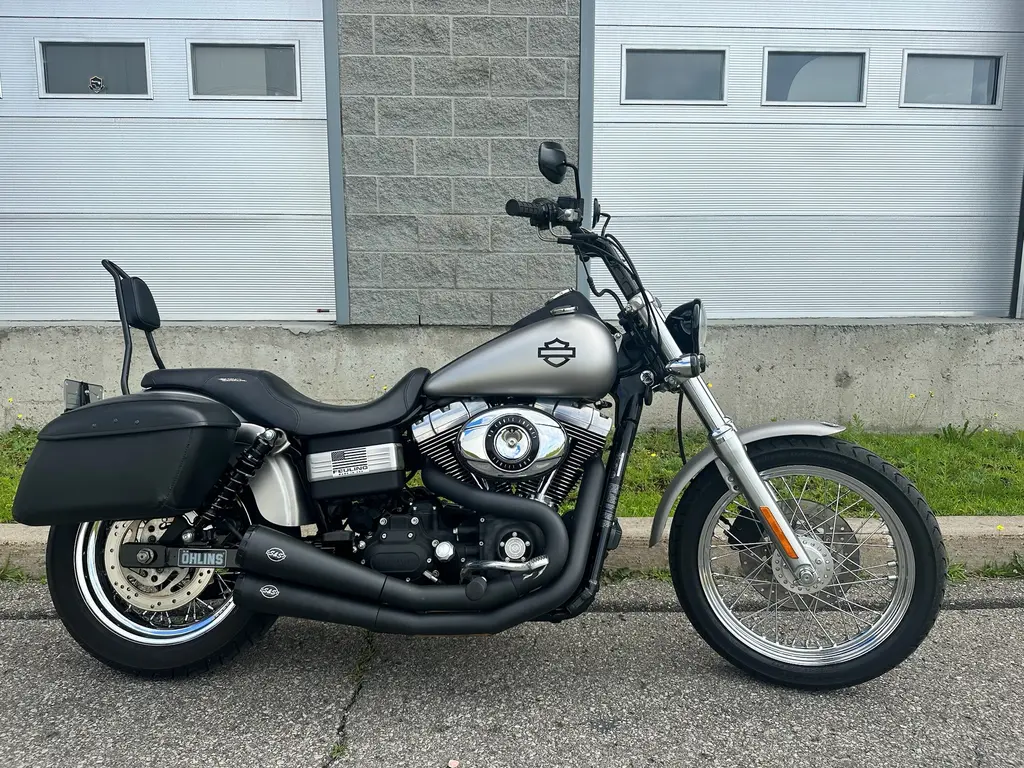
{"x": 953, "y": 81}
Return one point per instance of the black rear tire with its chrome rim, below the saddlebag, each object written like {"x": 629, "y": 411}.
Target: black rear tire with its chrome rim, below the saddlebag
{"x": 76, "y": 595}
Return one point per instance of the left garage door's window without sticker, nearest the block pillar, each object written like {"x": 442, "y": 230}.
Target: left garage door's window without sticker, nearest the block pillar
{"x": 247, "y": 71}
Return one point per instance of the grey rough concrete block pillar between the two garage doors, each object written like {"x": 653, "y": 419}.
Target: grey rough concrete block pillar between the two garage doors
{"x": 444, "y": 105}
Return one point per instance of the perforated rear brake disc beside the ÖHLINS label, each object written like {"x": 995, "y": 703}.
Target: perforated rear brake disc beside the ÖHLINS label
{"x": 150, "y": 589}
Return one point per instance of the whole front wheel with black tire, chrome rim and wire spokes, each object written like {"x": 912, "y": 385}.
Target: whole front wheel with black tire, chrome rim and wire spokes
{"x": 874, "y": 541}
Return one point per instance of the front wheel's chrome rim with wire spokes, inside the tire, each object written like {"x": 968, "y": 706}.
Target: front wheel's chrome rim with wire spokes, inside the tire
{"x": 868, "y": 570}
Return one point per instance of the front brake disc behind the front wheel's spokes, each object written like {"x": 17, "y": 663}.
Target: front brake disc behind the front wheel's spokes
{"x": 814, "y": 523}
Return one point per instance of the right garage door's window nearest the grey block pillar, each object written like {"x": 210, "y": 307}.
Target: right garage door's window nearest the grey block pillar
{"x": 673, "y": 76}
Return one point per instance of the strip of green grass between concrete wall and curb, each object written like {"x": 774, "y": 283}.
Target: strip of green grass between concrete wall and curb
{"x": 961, "y": 471}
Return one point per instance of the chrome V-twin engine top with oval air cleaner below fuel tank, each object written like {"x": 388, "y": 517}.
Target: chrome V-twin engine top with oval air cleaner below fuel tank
{"x": 537, "y": 452}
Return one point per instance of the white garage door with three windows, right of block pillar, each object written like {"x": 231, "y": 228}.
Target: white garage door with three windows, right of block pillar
{"x": 815, "y": 160}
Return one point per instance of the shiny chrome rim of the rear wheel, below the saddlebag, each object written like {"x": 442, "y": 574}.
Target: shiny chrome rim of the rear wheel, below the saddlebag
{"x": 195, "y": 615}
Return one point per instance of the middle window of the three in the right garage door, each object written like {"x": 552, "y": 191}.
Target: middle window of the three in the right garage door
{"x": 815, "y": 78}
